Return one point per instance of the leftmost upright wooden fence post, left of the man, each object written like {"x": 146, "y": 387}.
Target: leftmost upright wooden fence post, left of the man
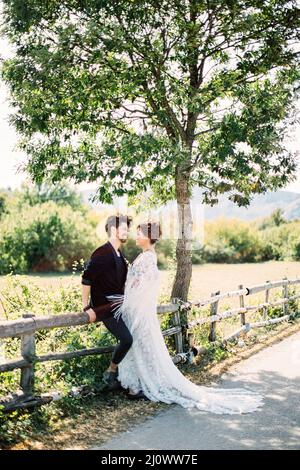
{"x": 28, "y": 353}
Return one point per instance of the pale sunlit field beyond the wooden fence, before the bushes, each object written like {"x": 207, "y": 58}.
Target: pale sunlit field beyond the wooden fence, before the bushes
{"x": 206, "y": 279}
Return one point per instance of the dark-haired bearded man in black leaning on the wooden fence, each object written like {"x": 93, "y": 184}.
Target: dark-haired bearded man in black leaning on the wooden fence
{"x": 106, "y": 274}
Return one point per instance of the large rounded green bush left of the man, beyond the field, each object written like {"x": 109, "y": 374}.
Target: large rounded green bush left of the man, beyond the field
{"x": 45, "y": 237}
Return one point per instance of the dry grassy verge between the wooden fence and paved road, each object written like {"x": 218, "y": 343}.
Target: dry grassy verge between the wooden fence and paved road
{"x": 100, "y": 418}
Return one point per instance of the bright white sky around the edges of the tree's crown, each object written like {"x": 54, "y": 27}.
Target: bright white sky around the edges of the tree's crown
{"x": 11, "y": 158}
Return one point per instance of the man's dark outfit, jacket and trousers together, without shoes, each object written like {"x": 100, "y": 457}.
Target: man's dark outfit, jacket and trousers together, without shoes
{"x": 106, "y": 274}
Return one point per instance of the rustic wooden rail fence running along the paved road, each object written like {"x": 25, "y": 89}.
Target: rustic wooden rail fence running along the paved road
{"x": 27, "y": 327}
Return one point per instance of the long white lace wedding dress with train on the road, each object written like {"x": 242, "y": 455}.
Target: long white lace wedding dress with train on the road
{"x": 148, "y": 365}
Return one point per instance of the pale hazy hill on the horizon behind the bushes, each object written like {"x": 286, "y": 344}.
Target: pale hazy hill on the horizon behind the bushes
{"x": 262, "y": 205}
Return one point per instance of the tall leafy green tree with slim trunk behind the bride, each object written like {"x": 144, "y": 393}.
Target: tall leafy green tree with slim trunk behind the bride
{"x": 156, "y": 94}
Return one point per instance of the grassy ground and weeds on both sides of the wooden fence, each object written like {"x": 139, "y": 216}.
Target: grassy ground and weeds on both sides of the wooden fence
{"x": 52, "y": 430}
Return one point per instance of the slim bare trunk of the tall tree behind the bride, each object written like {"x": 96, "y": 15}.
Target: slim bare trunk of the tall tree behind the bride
{"x": 184, "y": 243}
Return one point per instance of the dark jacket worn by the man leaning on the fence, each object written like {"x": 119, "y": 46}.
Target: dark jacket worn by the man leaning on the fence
{"x": 106, "y": 274}
